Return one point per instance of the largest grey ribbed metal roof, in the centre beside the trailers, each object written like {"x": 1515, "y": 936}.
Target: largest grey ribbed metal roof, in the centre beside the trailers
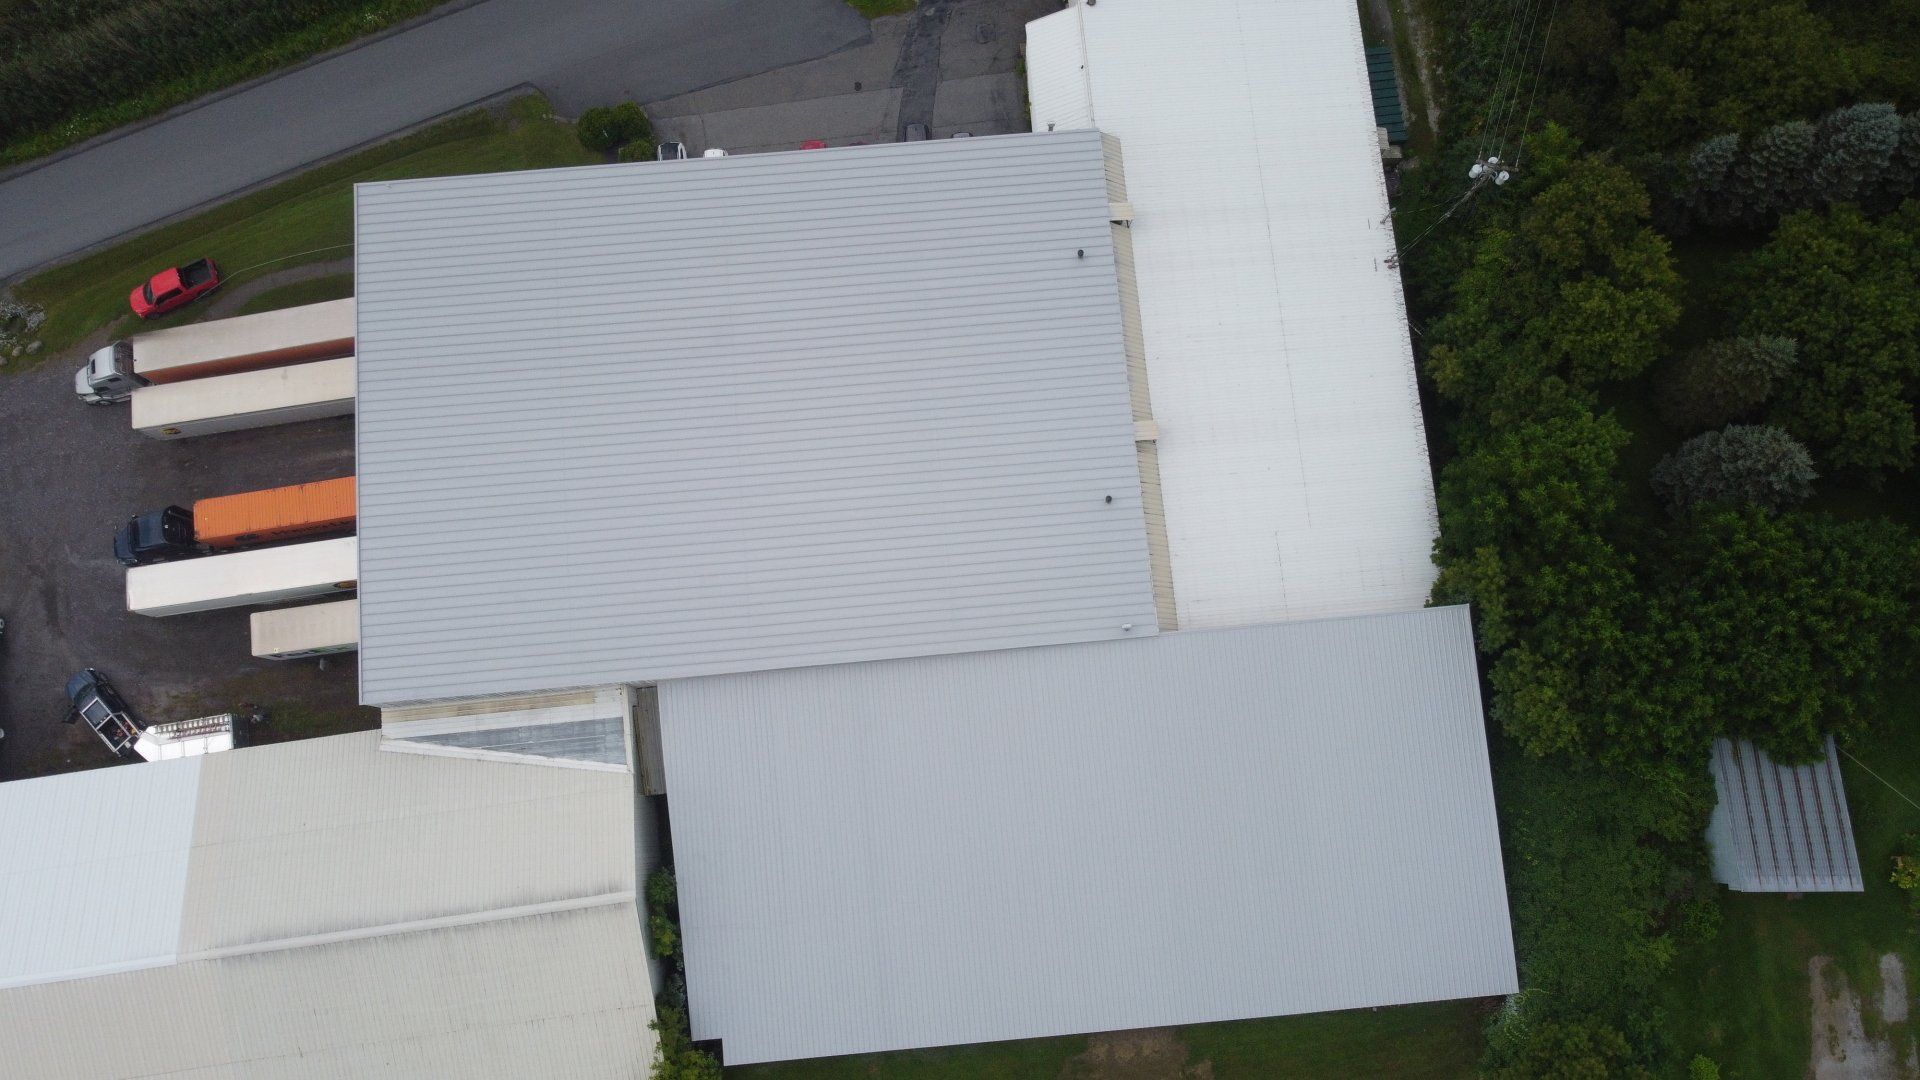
{"x": 642, "y": 422}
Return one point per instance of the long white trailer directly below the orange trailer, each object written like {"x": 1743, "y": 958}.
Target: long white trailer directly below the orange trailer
{"x": 245, "y": 579}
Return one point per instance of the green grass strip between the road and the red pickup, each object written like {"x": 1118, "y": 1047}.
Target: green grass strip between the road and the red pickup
{"x": 304, "y": 220}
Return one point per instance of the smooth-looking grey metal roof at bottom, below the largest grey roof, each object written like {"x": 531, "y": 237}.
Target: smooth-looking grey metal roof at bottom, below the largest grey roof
{"x": 1034, "y": 843}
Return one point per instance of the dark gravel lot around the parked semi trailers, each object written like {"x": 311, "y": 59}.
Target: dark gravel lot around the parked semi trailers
{"x": 72, "y": 476}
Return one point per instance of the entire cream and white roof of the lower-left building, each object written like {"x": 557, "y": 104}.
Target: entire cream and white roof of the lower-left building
{"x": 324, "y": 910}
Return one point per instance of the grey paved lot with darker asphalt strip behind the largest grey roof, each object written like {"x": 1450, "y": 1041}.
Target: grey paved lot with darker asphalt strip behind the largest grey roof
{"x": 953, "y": 66}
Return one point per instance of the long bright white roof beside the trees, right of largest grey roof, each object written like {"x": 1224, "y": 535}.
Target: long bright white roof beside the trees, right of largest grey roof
{"x": 1293, "y": 456}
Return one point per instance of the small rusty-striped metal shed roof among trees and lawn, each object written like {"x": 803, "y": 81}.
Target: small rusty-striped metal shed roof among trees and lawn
{"x": 1781, "y": 827}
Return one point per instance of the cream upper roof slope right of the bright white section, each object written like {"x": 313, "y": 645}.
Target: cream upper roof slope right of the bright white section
{"x": 331, "y": 835}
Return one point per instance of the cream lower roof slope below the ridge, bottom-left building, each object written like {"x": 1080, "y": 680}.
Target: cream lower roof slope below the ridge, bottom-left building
{"x": 560, "y": 994}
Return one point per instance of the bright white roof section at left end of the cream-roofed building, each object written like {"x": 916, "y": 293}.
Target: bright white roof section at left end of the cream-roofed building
{"x": 91, "y": 870}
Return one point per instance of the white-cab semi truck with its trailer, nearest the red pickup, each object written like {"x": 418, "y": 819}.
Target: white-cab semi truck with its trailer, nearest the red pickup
{"x": 222, "y": 347}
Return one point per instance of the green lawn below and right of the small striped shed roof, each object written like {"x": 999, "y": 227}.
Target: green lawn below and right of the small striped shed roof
{"x": 1744, "y": 998}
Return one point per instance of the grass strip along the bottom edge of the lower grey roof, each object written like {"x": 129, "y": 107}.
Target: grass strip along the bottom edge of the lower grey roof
{"x": 1431, "y": 1043}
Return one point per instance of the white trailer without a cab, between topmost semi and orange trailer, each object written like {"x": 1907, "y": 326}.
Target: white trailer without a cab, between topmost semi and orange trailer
{"x": 247, "y": 401}
